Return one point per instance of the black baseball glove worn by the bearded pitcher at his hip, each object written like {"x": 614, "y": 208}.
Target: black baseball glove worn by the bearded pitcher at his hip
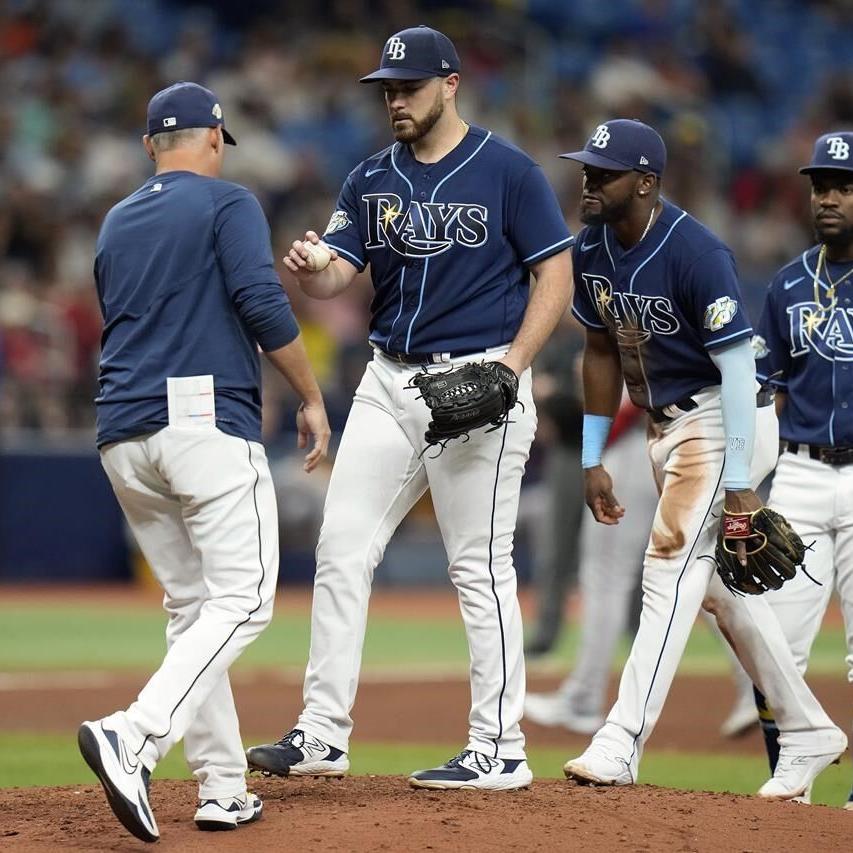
{"x": 469, "y": 397}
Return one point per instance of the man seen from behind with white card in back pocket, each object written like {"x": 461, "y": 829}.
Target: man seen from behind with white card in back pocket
{"x": 188, "y": 291}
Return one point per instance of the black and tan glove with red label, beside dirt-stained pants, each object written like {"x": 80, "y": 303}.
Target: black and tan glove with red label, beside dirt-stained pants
{"x": 773, "y": 551}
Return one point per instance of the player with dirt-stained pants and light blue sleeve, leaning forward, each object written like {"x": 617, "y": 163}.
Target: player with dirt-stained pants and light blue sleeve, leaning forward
{"x": 659, "y": 296}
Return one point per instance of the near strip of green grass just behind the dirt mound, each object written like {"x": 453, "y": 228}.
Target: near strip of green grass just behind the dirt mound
{"x": 36, "y": 759}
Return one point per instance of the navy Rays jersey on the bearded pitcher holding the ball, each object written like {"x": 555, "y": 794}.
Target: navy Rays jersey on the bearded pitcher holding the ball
{"x": 449, "y": 243}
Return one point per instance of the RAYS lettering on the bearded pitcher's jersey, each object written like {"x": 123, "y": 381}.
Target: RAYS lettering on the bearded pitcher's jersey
{"x": 423, "y": 229}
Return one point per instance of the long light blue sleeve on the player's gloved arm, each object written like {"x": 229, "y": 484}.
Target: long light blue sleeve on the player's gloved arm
{"x": 736, "y": 364}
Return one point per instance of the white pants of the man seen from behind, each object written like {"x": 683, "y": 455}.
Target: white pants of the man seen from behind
{"x": 202, "y": 508}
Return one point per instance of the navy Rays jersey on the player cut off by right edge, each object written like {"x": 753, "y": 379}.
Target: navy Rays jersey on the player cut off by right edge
{"x": 808, "y": 353}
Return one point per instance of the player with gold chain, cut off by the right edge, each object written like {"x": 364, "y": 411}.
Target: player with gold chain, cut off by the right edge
{"x": 804, "y": 347}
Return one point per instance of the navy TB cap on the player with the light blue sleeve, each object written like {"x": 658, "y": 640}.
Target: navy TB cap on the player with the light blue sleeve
{"x": 623, "y": 145}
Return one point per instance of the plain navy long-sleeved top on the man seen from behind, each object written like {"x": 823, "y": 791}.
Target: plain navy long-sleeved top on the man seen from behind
{"x": 187, "y": 286}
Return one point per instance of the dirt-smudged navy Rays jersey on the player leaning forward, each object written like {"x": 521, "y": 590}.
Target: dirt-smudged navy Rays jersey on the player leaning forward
{"x": 667, "y": 301}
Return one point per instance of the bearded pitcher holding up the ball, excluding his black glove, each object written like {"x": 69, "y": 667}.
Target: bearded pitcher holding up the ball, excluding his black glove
{"x": 452, "y": 221}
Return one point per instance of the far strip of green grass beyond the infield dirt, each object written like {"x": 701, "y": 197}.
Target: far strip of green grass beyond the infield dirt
{"x": 85, "y": 637}
